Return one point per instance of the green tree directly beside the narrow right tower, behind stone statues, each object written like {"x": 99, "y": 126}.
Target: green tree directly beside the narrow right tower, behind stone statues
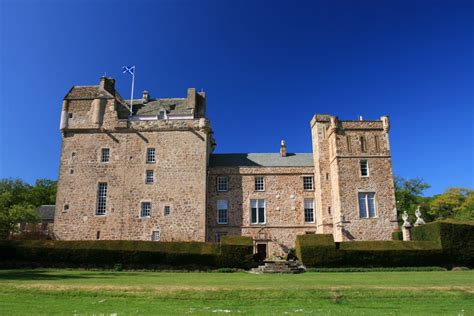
{"x": 408, "y": 194}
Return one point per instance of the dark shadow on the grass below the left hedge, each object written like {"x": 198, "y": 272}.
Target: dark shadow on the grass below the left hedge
{"x": 50, "y": 275}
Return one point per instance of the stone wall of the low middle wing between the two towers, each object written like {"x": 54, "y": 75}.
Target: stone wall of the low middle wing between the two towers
{"x": 284, "y": 197}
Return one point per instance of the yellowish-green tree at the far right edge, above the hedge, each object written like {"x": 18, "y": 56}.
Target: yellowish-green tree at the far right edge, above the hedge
{"x": 454, "y": 203}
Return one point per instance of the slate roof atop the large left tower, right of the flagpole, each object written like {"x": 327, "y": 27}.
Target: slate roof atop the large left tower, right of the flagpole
{"x": 173, "y": 106}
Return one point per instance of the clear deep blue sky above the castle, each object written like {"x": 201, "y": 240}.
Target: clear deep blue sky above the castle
{"x": 267, "y": 67}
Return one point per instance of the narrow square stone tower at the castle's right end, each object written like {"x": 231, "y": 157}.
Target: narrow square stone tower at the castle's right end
{"x": 353, "y": 178}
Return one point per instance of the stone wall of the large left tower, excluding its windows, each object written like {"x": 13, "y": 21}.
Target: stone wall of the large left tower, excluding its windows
{"x": 179, "y": 171}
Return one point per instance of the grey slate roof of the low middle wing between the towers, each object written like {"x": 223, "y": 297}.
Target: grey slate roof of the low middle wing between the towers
{"x": 261, "y": 160}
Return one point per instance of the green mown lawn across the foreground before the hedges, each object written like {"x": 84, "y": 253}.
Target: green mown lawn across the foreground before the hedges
{"x": 74, "y": 292}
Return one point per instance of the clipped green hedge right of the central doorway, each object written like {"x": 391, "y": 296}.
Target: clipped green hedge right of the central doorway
{"x": 445, "y": 244}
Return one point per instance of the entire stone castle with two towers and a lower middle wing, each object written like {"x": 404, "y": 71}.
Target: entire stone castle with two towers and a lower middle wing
{"x": 151, "y": 174}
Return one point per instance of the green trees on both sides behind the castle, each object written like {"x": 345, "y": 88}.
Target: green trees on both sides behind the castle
{"x": 19, "y": 200}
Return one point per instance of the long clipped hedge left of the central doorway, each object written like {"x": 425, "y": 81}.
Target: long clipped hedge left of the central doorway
{"x": 232, "y": 253}
